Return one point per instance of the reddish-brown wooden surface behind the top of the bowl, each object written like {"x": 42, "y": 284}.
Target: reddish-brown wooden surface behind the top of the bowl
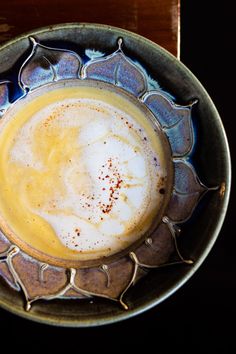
{"x": 157, "y": 20}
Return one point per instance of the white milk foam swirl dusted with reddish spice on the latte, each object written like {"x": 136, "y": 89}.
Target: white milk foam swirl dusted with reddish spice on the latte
{"x": 89, "y": 170}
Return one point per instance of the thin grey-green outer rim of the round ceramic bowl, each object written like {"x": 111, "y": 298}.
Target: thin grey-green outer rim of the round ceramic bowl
{"x": 217, "y": 224}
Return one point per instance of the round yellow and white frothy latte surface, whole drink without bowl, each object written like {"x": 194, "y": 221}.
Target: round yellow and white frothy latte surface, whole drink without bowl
{"x": 85, "y": 172}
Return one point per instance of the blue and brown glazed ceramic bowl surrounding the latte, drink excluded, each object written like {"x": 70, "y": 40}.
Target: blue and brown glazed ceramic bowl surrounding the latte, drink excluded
{"x": 141, "y": 68}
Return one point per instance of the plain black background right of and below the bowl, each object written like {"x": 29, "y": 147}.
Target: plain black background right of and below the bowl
{"x": 203, "y": 311}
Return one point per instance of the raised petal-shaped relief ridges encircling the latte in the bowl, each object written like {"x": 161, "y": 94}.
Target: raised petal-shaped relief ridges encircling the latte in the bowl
{"x": 143, "y": 95}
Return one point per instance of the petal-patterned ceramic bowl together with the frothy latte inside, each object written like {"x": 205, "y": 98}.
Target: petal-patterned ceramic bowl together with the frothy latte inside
{"x": 106, "y": 152}
